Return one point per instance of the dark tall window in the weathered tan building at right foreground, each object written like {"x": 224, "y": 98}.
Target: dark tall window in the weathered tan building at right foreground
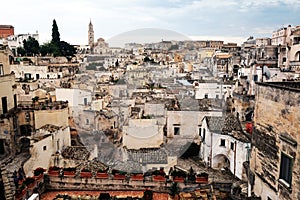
{"x": 286, "y": 166}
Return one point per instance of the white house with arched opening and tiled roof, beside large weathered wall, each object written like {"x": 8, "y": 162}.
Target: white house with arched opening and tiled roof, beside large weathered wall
{"x": 224, "y": 144}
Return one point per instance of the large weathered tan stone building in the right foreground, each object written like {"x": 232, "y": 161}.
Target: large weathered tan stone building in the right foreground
{"x": 274, "y": 160}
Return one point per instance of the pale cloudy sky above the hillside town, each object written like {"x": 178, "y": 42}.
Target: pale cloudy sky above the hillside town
{"x": 228, "y": 20}
